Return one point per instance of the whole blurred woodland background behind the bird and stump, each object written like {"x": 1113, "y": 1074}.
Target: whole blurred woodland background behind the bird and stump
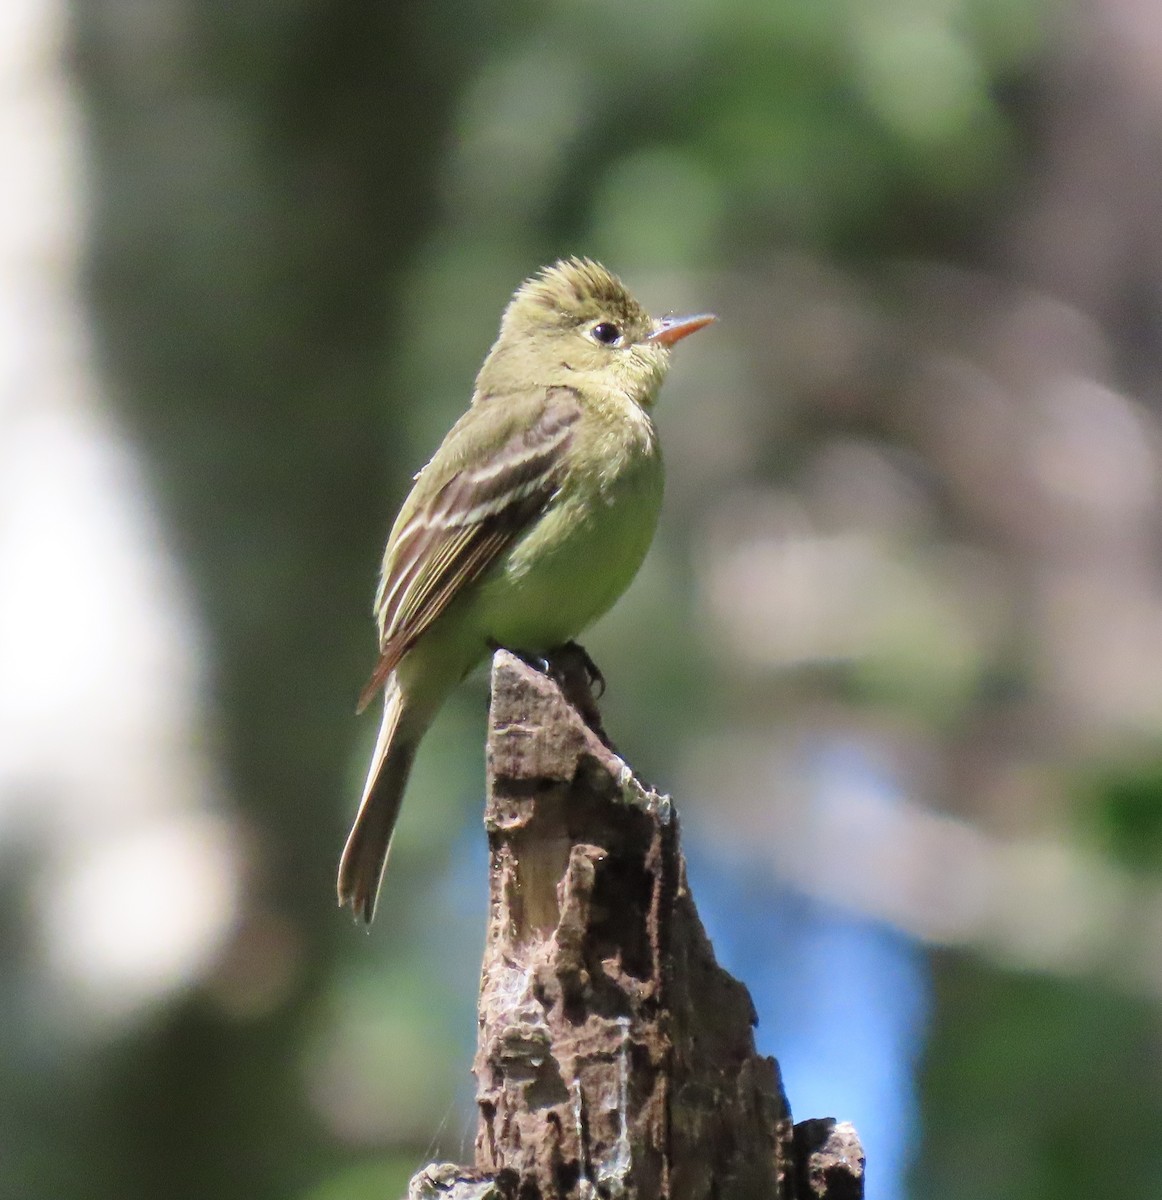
{"x": 896, "y": 652}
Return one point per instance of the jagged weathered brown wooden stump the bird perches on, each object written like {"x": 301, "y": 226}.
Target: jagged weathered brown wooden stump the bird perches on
{"x": 615, "y": 1057}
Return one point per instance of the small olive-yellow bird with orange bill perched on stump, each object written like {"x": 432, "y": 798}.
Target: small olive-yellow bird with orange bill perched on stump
{"x": 528, "y": 524}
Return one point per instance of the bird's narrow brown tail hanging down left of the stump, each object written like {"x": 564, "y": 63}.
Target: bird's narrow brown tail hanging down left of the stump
{"x": 361, "y": 869}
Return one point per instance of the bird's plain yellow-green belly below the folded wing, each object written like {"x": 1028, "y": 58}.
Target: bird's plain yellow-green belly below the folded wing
{"x": 573, "y": 565}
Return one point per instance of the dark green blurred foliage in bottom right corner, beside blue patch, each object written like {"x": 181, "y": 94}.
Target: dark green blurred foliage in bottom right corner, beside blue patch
{"x": 1038, "y": 1089}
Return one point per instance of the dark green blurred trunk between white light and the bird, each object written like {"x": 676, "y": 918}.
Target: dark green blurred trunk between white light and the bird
{"x": 261, "y": 175}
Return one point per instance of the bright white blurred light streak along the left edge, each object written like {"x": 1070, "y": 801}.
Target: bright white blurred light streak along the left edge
{"x": 103, "y": 782}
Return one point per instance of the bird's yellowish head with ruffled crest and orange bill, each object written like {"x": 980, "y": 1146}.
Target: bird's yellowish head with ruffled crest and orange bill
{"x": 576, "y": 325}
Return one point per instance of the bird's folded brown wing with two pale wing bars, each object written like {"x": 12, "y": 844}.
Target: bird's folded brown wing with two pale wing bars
{"x": 454, "y": 529}
